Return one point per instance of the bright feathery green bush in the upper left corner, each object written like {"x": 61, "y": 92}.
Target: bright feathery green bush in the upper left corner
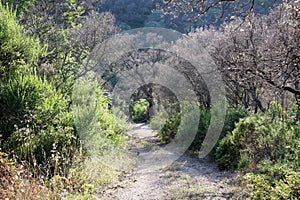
{"x": 16, "y": 49}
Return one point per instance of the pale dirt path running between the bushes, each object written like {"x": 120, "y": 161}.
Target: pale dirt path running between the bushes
{"x": 186, "y": 178}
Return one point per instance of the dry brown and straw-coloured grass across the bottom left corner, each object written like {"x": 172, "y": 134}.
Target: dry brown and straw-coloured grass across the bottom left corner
{"x": 19, "y": 183}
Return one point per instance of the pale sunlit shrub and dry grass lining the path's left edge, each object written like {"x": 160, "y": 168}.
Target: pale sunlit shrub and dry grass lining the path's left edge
{"x": 101, "y": 133}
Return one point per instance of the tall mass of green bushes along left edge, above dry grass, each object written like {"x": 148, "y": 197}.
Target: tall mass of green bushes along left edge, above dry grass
{"x": 35, "y": 122}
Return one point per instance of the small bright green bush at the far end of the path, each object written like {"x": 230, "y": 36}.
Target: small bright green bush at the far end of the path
{"x": 139, "y": 110}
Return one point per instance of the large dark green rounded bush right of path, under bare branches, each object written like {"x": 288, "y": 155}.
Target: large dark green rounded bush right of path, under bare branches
{"x": 258, "y": 137}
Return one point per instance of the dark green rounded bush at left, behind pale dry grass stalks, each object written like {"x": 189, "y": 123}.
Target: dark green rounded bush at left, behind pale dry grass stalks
{"x": 36, "y": 123}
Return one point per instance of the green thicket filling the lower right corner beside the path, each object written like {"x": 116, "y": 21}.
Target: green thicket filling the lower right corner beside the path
{"x": 267, "y": 147}
